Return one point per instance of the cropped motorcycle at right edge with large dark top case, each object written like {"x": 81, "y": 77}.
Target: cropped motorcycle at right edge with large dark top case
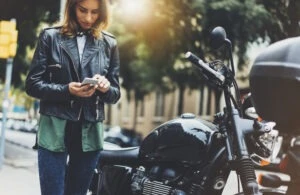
{"x": 274, "y": 86}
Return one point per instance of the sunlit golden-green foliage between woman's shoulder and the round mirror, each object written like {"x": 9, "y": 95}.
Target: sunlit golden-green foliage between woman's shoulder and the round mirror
{"x": 148, "y": 57}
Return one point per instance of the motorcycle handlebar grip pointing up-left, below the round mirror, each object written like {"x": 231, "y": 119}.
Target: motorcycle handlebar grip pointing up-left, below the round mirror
{"x": 204, "y": 67}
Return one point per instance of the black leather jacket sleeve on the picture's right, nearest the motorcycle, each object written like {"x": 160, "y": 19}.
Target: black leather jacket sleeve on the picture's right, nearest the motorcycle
{"x": 113, "y": 94}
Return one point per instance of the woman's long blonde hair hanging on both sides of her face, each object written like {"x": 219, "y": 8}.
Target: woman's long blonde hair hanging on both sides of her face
{"x": 70, "y": 25}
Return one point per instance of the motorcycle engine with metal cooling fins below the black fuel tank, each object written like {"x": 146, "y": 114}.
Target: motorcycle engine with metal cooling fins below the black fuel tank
{"x": 155, "y": 182}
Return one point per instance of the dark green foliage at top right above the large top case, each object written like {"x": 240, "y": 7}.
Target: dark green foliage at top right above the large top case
{"x": 248, "y": 21}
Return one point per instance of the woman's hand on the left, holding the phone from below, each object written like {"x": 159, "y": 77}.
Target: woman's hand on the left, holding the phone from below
{"x": 79, "y": 90}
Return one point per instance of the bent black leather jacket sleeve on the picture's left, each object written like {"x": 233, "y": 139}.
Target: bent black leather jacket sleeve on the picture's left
{"x": 36, "y": 84}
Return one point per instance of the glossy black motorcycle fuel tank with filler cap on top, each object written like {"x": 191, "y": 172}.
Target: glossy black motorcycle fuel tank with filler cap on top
{"x": 185, "y": 139}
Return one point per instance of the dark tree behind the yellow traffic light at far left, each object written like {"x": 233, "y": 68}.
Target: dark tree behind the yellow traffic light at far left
{"x": 29, "y": 14}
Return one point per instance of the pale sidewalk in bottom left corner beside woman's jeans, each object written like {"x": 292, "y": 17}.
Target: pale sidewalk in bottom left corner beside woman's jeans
{"x": 18, "y": 179}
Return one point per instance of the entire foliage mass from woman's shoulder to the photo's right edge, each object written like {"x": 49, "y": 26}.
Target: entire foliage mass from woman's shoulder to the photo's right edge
{"x": 173, "y": 27}
